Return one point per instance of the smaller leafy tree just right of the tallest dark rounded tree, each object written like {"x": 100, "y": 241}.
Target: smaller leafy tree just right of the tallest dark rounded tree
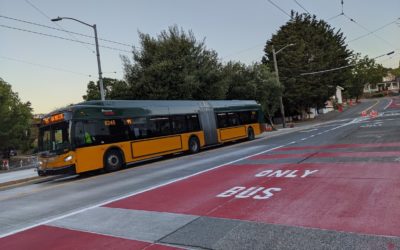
{"x": 365, "y": 71}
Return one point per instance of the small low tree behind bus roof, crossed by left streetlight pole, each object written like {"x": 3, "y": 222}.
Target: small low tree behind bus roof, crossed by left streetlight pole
{"x": 113, "y": 88}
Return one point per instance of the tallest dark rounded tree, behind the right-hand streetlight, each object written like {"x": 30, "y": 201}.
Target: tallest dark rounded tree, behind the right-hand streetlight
{"x": 317, "y": 46}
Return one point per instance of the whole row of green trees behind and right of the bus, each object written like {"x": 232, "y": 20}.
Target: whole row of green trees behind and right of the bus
{"x": 175, "y": 65}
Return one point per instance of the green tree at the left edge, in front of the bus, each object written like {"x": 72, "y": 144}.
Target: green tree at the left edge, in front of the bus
{"x": 15, "y": 117}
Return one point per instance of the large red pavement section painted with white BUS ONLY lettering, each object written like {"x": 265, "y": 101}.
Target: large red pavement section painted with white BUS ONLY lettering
{"x": 361, "y": 197}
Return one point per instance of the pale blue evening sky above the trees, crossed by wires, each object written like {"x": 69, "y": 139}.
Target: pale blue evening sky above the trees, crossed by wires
{"x": 51, "y": 71}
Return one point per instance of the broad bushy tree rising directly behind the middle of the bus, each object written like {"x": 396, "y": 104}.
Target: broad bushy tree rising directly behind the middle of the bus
{"x": 173, "y": 66}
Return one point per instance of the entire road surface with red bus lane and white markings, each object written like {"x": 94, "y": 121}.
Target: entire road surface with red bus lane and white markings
{"x": 332, "y": 184}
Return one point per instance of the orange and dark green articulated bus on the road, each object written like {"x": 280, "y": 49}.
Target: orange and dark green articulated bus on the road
{"x": 111, "y": 134}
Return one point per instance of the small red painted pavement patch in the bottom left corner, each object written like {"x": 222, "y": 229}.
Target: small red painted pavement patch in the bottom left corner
{"x": 48, "y": 237}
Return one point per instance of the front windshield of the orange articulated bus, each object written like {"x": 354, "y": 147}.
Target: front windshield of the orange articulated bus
{"x": 54, "y": 138}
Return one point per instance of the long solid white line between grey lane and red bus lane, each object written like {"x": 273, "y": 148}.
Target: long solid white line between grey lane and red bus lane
{"x": 152, "y": 188}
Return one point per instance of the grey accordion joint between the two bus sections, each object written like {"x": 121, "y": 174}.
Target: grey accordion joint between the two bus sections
{"x": 207, "y": 120}
